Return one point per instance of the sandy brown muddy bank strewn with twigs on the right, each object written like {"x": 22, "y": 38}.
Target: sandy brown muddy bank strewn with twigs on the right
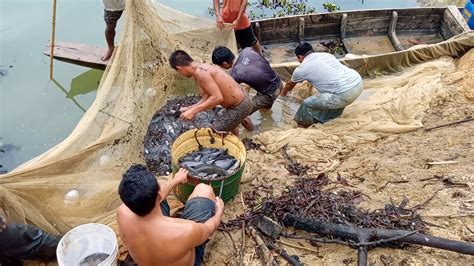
{"x": 386, "y": 169}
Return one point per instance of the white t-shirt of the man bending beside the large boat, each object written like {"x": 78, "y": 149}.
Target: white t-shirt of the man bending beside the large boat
{"x": 326, "y": 73}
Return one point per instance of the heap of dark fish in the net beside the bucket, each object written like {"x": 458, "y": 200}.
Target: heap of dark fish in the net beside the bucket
{"x": 165, "y": 127}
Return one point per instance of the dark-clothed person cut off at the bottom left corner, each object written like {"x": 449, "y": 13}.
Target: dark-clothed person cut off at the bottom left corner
{"x": 23, "y": 242}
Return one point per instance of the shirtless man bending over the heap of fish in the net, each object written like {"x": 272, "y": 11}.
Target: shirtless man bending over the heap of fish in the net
{"x": 216, "y": 88}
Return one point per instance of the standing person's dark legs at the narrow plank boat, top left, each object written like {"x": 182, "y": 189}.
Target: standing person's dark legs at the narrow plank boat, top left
{"x": 113, "y": 9}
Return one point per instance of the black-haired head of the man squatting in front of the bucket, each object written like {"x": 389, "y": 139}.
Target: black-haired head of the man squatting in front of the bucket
{"x": 139, "y": 190}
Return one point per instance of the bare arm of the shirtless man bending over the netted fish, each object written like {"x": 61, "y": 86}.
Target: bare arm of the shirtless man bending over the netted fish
{"x": 210, "y": 87}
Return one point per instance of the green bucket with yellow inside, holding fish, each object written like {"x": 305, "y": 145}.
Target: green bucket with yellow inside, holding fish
{"x": 188, "y": 142}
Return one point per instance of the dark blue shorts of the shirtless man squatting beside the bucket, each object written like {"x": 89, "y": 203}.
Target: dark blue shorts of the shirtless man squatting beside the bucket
{"x": 198, "y": 209}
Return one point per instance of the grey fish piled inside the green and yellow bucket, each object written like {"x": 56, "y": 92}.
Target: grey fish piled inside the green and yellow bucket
{"x": 209, "y": 163}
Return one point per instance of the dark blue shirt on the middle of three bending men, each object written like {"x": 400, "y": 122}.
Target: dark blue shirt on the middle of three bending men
{"x": 254, "y": 70}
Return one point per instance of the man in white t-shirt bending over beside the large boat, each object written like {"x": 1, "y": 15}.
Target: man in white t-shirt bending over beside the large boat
{"x": 337, "y": 84}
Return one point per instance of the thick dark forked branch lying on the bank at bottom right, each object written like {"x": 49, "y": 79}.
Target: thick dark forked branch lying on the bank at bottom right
{"x": 359, "y": 237}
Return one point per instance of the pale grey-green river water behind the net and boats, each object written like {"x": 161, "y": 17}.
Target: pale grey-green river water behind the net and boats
{"x": 35, "y": 113}
